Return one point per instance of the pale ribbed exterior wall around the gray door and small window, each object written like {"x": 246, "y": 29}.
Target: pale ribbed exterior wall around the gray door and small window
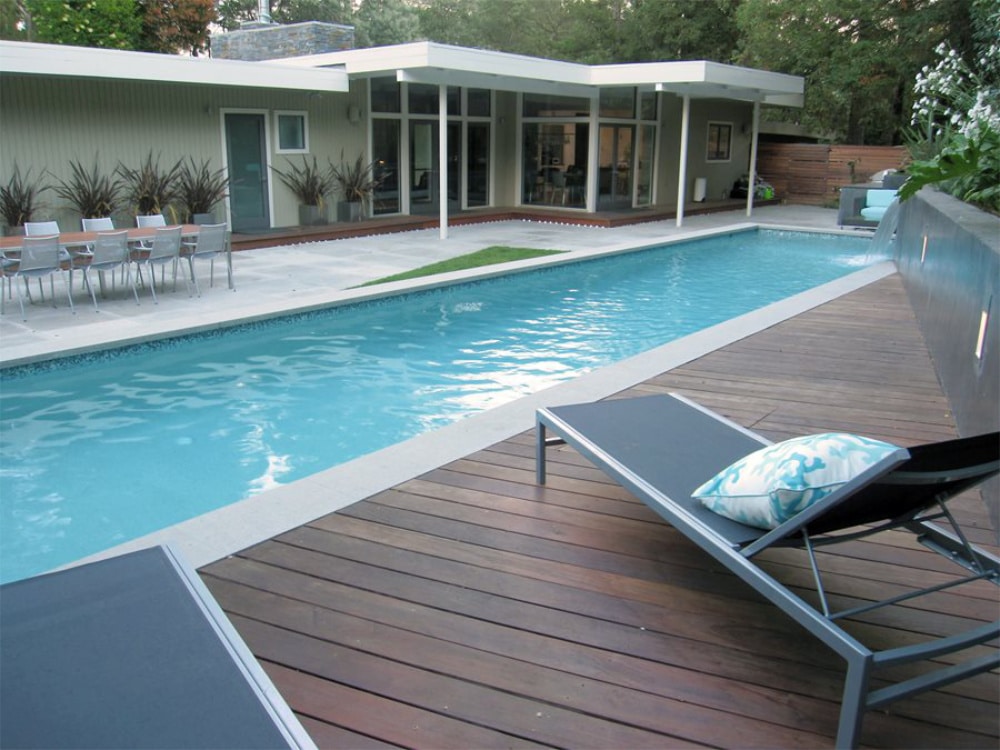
{"x": 47, "y": 123}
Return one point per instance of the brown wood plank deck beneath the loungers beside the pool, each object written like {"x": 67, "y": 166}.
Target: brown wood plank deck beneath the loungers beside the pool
{"x": 471, "y": 608}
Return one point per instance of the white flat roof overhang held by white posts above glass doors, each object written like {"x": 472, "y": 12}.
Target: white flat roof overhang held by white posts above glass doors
{"x": 428, "y": 62}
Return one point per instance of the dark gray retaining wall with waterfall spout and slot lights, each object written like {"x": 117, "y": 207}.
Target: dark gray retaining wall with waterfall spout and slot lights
{"x": 948, "y": 254}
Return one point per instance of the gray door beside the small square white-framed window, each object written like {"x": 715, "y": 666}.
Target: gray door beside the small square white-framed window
{"x": 246, "y": 147}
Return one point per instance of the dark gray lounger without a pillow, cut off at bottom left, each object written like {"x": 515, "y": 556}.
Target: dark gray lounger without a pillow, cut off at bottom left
{"x": 131, "y": 652}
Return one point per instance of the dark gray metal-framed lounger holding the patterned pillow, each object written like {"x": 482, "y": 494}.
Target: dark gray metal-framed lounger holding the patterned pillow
{"x": 661, "y": 448}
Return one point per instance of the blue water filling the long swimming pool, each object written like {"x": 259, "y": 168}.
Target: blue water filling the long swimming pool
{"x": 100, "y": 449}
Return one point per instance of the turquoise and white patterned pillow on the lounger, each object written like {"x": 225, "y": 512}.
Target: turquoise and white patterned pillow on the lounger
{"x": 769, "y": 486}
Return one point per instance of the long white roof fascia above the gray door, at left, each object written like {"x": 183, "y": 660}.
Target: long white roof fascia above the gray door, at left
{"x": 86, "y": 62}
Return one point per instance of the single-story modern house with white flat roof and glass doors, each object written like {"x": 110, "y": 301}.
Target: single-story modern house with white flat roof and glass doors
{"x": 449, "y": 129}
